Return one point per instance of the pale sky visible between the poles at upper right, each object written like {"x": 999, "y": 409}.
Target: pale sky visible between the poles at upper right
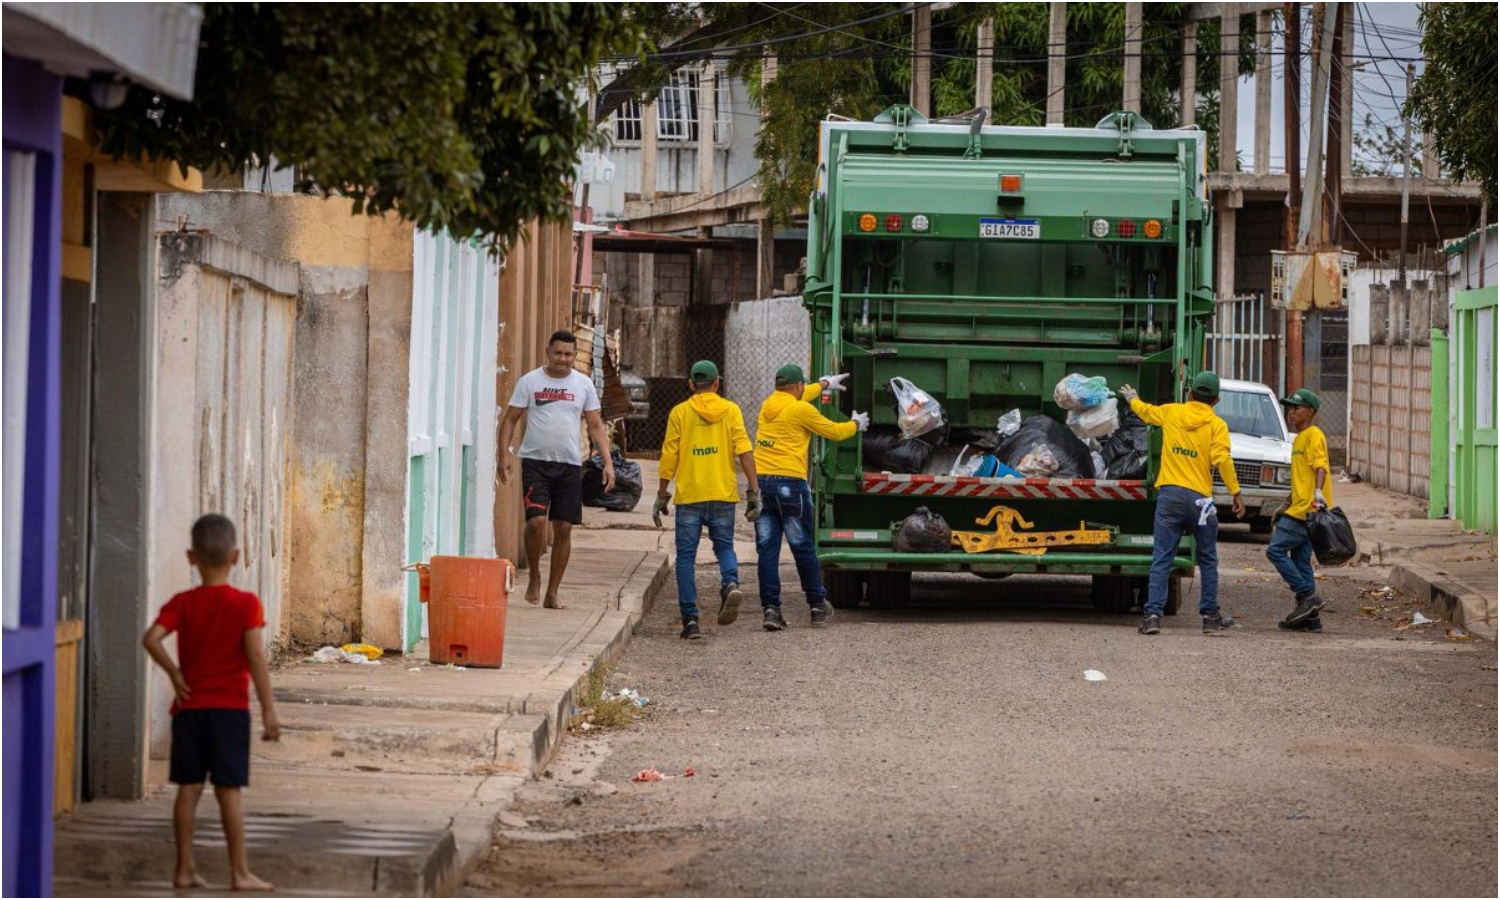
{"x": 1382, "y": 31}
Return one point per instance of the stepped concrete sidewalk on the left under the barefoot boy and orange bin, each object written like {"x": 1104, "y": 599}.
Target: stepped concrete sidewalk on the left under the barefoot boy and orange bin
{"x": 388, "y": 779}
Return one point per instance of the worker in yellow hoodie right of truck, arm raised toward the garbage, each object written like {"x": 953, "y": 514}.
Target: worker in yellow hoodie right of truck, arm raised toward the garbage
{"x": 1195, "y": 442}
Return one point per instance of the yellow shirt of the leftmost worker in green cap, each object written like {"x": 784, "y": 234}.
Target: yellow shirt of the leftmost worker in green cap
{"x": 706, "y": 434}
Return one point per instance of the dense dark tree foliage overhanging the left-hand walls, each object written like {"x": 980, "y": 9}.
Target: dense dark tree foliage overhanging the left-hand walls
{"x": 455, "y": 116}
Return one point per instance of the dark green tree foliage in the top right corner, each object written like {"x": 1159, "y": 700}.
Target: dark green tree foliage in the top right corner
{"x": 1454, "y": 100}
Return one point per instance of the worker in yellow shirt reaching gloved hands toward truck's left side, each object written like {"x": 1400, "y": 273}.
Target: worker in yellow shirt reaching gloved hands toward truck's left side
{"x": 787, "y": 425}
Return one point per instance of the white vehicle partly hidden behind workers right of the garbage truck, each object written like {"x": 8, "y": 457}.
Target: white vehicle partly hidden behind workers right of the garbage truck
{"x": 1261, "y": 446}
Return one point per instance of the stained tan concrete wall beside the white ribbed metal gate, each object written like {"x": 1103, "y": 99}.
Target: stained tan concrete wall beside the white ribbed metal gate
{"x": 355, "y": 271}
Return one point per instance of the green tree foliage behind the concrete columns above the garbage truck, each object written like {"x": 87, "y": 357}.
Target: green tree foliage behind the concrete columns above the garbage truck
{"x": 854, "y": 59}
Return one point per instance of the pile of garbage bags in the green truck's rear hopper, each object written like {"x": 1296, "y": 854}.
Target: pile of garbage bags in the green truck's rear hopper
{"x": 1099, "y": 440}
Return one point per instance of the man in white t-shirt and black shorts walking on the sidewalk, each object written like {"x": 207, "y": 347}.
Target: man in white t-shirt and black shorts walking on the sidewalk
{"x": 553, "y": 400}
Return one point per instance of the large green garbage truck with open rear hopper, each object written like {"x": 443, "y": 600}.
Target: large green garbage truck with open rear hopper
{"x": 983, "y": 266}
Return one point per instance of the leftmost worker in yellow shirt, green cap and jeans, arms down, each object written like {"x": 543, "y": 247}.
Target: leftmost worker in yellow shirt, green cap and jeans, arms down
{"x": 704, "y": 437}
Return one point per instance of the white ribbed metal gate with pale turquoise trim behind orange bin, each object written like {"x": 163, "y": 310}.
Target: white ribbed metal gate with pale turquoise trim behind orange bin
{"x": 451, "y": 431}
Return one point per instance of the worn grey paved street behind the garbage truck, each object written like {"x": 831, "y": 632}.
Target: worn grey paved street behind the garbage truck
{"x": 958, "y": 749}
